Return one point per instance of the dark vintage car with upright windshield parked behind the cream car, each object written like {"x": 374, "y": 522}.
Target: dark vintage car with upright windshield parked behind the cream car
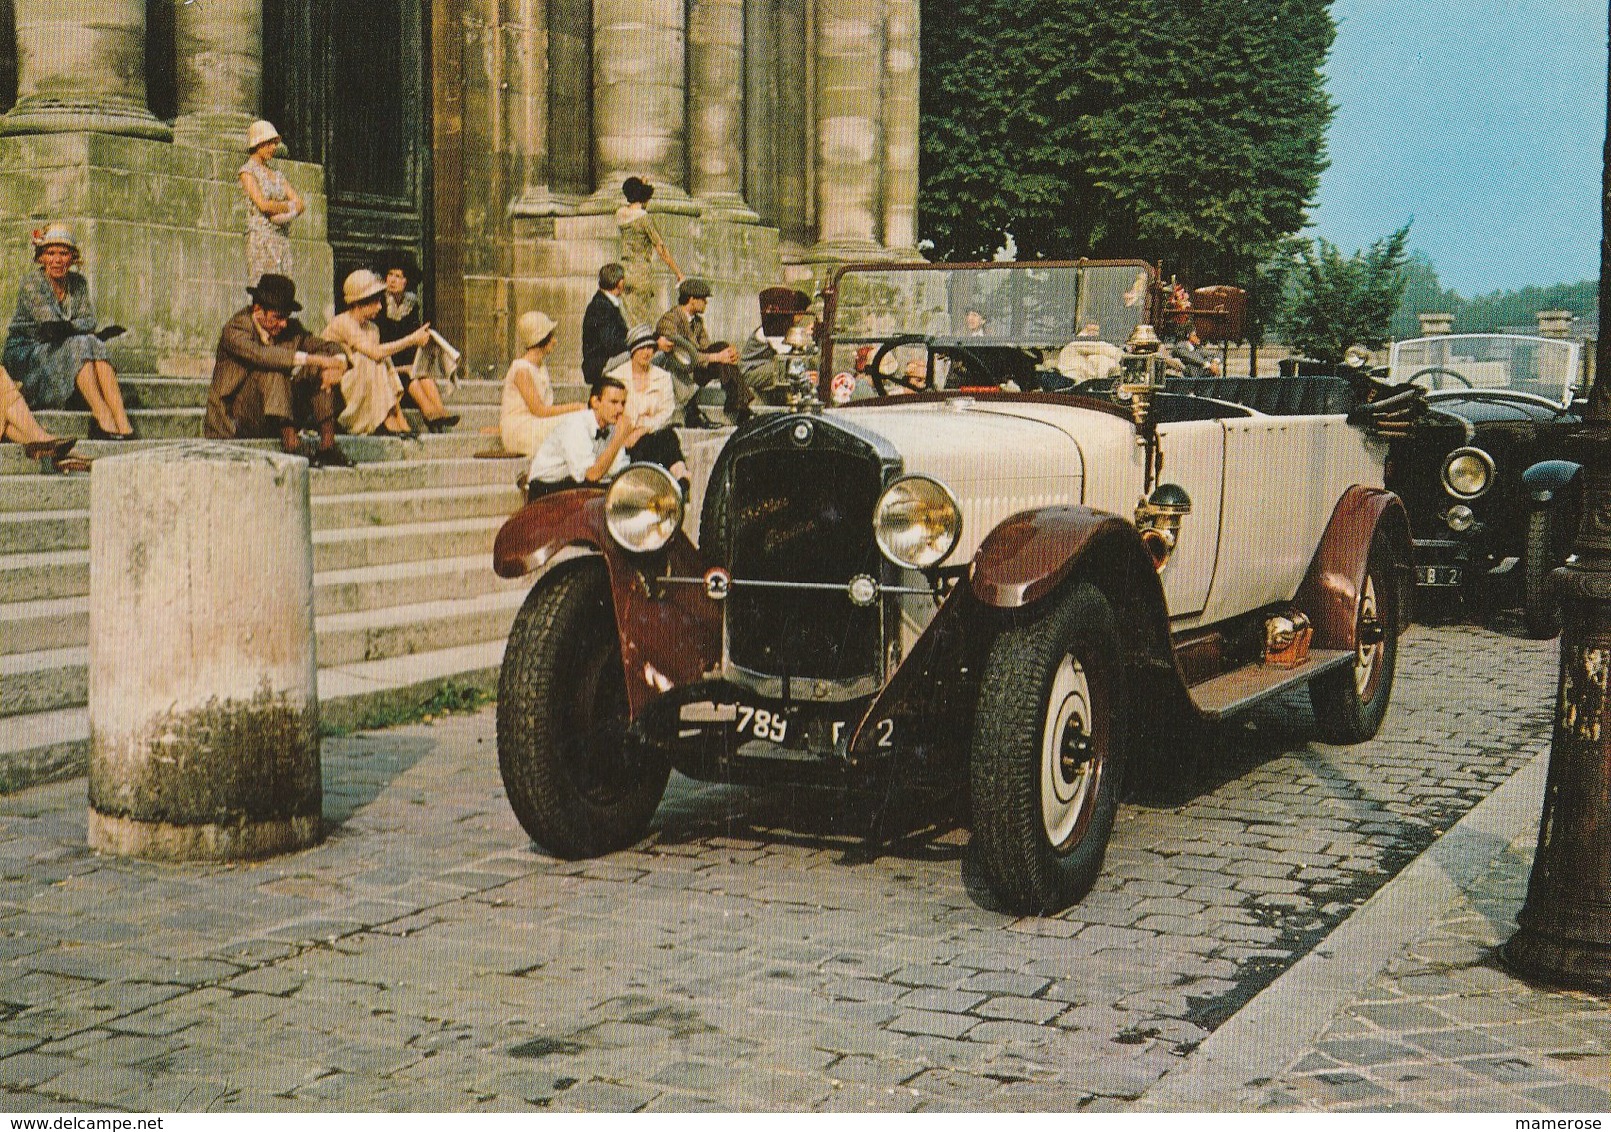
{"x": 1493, "y": 502}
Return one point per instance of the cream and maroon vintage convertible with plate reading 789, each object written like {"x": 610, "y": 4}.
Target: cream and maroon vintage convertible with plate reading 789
{"x": 984, "y": 590}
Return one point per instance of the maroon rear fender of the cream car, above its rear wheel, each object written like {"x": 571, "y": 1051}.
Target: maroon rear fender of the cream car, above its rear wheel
{"x": 1331, "y": 589}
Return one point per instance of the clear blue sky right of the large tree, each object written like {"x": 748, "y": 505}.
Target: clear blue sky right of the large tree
{"x": 1481, "y": 120}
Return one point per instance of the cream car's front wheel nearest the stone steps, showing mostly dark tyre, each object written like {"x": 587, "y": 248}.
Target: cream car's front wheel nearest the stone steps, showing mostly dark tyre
{"x": 574, "y": 779}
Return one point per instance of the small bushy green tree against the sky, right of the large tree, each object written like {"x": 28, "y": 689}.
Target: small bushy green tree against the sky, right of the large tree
{"x": 1341, "y": 300}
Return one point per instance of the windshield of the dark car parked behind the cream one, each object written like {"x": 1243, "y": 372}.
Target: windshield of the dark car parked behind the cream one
{"x": 1544, "y": 368}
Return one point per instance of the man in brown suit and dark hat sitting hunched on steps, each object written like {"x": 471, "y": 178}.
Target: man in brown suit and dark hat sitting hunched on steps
{"x": 271, "y": 376}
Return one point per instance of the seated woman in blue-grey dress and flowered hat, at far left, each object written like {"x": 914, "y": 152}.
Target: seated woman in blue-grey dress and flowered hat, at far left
{"x": 52, "y": 349}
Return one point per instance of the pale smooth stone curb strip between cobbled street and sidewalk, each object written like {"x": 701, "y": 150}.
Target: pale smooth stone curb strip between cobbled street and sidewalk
{"x": 1285, "y": 1020}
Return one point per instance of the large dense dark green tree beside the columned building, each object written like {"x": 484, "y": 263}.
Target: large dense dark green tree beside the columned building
{"x": 1180, "y": 131}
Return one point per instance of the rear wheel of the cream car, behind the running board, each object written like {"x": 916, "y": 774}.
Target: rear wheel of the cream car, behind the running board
{"x": 1351, "y": 701}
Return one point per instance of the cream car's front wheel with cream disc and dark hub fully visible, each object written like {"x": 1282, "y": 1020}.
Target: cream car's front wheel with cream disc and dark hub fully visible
{"x": 1050, "y": 748}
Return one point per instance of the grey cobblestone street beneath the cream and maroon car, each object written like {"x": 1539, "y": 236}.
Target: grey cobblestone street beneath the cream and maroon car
{"x": 753, "y": 954}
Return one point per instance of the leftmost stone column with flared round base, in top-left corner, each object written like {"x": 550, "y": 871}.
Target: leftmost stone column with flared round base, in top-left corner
{"x": 81, "y": 68}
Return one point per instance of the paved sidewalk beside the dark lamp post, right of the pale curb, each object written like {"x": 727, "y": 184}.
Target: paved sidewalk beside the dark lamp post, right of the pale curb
{"x": 1446, "y": 1030}
